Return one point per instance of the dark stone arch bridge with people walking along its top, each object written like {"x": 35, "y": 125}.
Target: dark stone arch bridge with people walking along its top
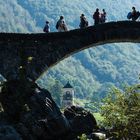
{"x": 36, "y": 53}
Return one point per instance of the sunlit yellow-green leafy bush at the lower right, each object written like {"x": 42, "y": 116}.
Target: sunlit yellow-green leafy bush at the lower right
{"x": 121, "y": 111}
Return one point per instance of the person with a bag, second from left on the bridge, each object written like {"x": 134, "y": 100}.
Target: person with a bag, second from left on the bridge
{"x": 61, "y": 25}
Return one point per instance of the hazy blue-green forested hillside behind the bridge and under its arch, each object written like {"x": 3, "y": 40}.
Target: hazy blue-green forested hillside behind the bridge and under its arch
{"x": 93, "y": 71}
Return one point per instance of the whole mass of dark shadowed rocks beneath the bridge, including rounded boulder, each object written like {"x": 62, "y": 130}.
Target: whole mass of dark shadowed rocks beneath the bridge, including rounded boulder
{"x": 31, "y": 114}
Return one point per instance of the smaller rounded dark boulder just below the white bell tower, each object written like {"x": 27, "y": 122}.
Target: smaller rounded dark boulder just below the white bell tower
{"x": 81, "y": 121}
